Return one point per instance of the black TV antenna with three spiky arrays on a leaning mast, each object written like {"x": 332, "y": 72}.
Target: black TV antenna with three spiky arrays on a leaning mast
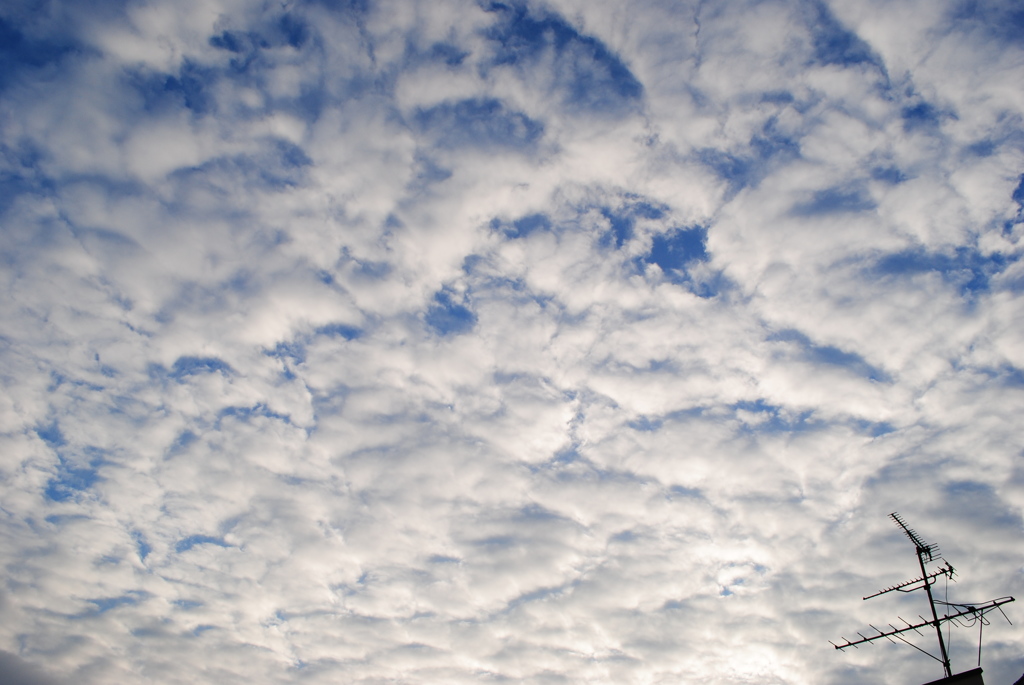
{"x": 964, "y": 615}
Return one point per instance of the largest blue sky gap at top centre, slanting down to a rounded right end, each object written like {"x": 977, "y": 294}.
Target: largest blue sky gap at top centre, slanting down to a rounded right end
{"x": 587, "y": 75}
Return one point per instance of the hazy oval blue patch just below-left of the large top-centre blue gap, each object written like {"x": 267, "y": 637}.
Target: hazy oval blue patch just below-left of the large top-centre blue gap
{"x": 478, "y": 123}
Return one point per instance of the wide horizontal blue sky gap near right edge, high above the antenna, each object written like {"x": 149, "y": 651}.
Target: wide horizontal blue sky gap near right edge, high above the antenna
{"x": 968, "y": 269}
